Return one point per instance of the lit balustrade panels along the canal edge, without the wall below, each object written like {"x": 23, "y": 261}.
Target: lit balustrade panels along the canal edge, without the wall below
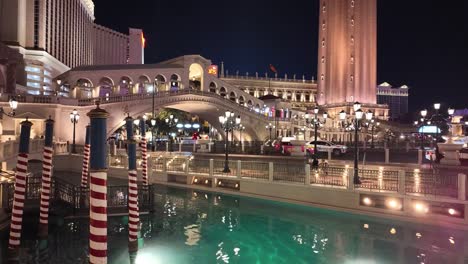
{"x": 375, "y": 180}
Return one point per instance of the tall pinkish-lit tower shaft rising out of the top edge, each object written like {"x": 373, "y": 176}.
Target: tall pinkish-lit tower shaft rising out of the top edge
{"x": 347, "y": 56}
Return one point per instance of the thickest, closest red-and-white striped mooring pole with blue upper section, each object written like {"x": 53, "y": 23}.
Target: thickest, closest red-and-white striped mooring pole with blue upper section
{"x": 98, "y": 187}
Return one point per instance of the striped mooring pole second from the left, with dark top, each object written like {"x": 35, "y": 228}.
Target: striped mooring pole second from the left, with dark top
{"x": 46, "y": 178}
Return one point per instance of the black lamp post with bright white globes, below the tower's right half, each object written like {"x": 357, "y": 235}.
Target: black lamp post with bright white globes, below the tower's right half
{"x": 356, "y": 123}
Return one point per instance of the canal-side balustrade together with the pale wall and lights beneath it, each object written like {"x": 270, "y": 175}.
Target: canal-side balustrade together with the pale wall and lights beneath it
{"x": 412, "y": 193}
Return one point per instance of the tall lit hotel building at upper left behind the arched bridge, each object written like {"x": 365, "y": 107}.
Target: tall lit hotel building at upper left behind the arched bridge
{"x": 55, "y": 35}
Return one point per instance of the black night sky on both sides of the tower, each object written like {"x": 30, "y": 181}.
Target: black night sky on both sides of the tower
{"x": 423, "y": 44}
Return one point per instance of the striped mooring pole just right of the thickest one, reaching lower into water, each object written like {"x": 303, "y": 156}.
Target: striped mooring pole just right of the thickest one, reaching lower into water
{"x": 133, "y": 215}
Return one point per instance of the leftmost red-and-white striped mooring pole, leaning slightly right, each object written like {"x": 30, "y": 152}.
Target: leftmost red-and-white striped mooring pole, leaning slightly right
{"x": 19, "y": 192}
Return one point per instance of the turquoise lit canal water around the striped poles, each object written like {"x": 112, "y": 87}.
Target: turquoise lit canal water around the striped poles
{"x": 198, "y": 227}
